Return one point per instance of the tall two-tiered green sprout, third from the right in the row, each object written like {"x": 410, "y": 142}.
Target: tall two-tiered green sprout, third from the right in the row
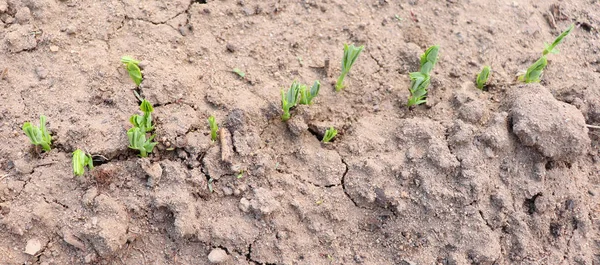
{"x": 419, "y": 81}
